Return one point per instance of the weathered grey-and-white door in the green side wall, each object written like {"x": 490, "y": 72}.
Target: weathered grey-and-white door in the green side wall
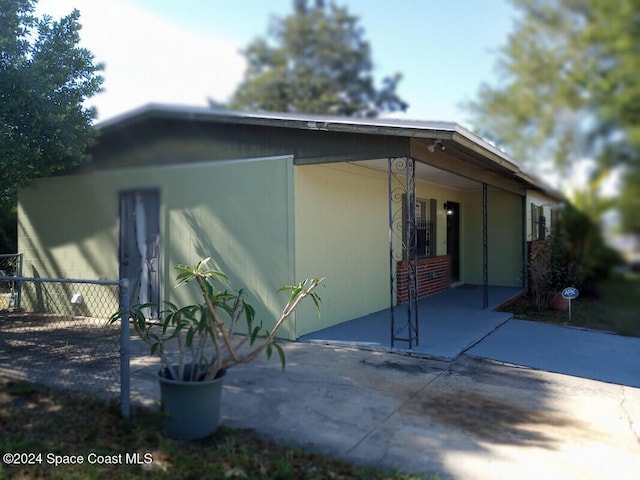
{"x": 140, "y": 245}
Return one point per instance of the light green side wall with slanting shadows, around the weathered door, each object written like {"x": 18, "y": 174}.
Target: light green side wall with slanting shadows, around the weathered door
{"x": 239, "y": 213}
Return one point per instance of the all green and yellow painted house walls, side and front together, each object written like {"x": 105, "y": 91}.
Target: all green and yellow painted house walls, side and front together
{"x": 266, "y": 223}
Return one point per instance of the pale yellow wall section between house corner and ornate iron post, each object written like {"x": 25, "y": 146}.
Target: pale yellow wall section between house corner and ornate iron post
{"x": 341, "y": 213}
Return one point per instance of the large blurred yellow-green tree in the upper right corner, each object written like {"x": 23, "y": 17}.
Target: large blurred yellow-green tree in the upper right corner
{"x": 568, "y": 89}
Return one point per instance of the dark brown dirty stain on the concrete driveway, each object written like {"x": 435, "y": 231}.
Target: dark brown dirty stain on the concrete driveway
{"x": 489, "y": 419}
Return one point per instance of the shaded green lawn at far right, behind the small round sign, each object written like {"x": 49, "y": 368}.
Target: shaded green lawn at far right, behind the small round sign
{"x": 616, "y": 308}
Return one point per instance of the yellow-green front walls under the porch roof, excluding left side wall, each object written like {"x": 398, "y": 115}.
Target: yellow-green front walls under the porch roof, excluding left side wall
{"x": 341, "y": 213}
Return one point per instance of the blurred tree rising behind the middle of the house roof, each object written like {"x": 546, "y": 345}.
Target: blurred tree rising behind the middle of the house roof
{"x": 319, "y": 63}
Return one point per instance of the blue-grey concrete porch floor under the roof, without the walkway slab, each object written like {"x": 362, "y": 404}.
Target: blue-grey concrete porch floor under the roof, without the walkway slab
{"x": 449, "y": 323}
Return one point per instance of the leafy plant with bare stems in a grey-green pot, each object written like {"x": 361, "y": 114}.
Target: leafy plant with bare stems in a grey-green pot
{"x": 204, "y": 334}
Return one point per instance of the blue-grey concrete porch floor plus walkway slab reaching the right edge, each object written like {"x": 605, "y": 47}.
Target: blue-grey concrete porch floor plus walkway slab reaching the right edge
{"x": 453, "y": 323}
